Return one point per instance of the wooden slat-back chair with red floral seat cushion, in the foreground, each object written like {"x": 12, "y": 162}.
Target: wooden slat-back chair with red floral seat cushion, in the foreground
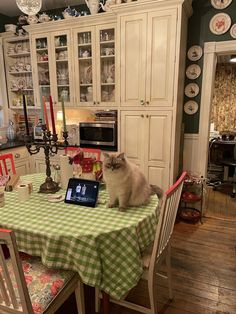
{"x": 49, "y": 288}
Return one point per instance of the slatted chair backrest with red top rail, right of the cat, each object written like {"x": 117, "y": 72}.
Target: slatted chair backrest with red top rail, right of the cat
{"x": 168, "y": 211}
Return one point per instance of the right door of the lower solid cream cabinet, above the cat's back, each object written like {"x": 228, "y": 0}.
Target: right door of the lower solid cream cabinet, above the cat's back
{"x": 157, "y": 147}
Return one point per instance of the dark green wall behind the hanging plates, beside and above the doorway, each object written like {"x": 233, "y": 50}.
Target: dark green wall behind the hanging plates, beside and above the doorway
{"x": 198, "y": 34}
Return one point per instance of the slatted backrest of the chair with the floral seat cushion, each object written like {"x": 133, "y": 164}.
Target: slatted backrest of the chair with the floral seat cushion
{"x": 13, "y": 298}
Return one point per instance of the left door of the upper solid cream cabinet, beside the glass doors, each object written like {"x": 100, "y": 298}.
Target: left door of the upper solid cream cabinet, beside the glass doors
{"x": 133, "y": 59}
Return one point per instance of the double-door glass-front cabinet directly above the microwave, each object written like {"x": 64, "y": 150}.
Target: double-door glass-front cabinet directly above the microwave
{"x": 95, "y": 65}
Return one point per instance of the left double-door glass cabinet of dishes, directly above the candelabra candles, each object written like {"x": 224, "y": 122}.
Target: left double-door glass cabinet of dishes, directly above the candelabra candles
{"x": 52, "y": 66}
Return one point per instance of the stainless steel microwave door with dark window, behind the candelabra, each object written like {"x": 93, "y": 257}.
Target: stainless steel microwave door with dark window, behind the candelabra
{"x": 98, "y": 134}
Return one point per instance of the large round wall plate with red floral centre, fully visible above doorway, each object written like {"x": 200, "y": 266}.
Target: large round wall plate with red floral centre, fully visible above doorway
{"x": 220, "y": 23}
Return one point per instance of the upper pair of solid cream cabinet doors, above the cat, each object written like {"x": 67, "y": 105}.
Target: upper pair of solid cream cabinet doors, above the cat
{"x": 147, "y": 58}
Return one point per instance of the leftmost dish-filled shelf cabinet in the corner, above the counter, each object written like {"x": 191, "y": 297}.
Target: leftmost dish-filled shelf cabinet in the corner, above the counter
{"x": 18, "y": 71}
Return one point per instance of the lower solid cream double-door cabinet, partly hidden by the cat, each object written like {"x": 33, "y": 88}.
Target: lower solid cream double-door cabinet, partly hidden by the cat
{"x": 146, "y": 140}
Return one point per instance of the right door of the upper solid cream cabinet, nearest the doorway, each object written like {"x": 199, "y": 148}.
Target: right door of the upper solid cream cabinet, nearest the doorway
{"x": 161, "y": 39}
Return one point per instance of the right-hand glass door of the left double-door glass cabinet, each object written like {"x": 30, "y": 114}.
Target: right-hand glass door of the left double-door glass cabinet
{"x": 62, "y": 68}
